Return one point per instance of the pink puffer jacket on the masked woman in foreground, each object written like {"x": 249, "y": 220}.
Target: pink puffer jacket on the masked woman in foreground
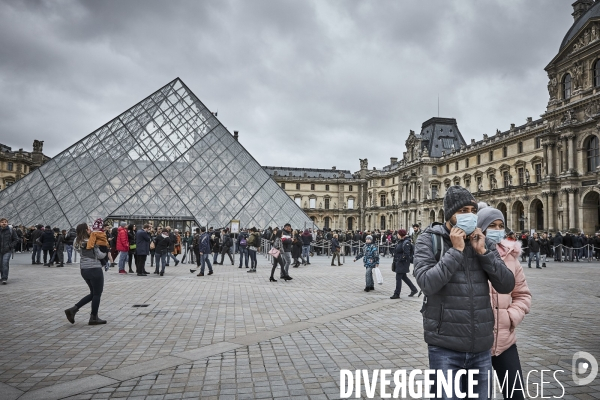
{"x": 509, "y": 309}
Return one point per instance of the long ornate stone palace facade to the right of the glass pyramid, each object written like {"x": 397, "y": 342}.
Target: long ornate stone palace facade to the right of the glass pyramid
{"x": 542, "y": 174}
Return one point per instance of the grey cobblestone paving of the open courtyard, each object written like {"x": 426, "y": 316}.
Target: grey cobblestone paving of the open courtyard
{"x": 236, "y": 335}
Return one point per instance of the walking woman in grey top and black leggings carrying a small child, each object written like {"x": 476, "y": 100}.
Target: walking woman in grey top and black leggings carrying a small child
{"x": 91, "y": 272}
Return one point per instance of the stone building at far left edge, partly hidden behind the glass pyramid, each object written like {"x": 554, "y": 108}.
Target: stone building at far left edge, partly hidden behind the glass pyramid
{"x": 16, "y": 164}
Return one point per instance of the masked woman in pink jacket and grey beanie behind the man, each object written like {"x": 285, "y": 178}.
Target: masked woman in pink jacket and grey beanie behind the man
{"x": 509, "y": 309}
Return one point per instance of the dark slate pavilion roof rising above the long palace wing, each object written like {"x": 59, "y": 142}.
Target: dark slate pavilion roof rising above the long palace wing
{"x": 441, "y": 135}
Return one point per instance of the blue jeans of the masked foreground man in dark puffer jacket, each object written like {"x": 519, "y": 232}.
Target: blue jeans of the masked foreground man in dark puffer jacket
{"x": 450, "y": 360}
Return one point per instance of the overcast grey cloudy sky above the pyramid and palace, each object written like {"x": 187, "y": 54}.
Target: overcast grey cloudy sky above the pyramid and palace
{"x": 307, "y": 83}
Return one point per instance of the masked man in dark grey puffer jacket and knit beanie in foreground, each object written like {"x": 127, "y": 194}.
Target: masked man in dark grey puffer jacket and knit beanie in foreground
{"x": 454, "y": 264}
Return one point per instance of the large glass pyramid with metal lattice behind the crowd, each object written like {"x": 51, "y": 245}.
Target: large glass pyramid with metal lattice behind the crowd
{"x": 166, "y": 157}
